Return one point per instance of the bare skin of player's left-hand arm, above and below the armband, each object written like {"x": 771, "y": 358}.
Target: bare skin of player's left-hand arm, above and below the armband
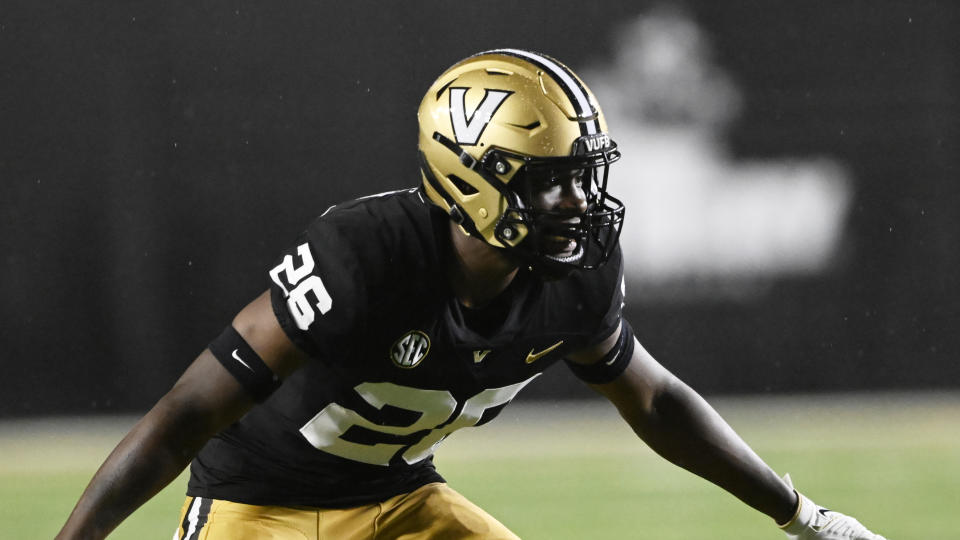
{"x": 206, "y": 399}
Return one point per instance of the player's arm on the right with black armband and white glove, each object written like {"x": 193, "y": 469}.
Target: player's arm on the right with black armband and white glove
{"x": 681, "y": 426}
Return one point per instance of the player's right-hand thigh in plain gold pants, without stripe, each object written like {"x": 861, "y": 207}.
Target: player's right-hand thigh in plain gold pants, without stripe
{"x": 438, "y": 511}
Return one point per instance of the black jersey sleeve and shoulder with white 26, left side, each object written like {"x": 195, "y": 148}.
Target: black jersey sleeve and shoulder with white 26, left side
{"x": 346, "y": 267}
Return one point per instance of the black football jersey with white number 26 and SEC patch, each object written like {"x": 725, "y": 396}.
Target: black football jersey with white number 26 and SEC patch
{"x": 398, "y": 364}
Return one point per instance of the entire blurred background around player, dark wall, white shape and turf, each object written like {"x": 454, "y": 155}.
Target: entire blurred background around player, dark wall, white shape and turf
{"x": 791, "y": 175}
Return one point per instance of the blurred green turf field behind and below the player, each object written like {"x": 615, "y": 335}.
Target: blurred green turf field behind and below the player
{"x": 574, "y": 471}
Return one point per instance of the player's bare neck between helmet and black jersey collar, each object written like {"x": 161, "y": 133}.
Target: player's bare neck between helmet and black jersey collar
{"x": 479, "y": 272}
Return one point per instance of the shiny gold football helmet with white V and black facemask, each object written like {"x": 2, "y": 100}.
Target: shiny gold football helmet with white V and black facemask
{"x": 499, "y": 115}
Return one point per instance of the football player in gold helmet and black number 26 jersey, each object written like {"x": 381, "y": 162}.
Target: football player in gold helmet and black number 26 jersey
{"x": 397, "y": 319}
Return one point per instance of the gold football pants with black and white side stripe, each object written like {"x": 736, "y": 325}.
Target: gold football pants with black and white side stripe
{"x": 434, "y": 511}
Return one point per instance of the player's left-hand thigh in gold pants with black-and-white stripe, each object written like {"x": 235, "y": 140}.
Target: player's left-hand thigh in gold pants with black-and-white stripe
{"x": 211, "y": 519}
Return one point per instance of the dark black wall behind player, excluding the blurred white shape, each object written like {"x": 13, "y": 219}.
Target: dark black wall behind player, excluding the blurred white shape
{"x": 155, "y": 157}
